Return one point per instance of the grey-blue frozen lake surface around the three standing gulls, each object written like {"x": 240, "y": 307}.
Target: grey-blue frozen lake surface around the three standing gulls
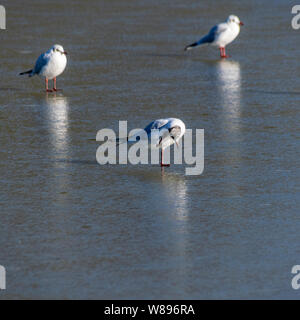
{"x": 71, "y": 228}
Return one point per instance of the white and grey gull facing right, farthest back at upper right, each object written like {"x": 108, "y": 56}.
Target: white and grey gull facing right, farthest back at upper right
{"x": 221, "y": 35}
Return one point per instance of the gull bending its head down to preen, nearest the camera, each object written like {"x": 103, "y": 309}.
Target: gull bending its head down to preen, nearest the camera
{"x": 166, "y": 132}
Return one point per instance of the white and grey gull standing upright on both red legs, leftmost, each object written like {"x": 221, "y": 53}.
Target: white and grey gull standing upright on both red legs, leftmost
{"x": 50, "y": 65}
